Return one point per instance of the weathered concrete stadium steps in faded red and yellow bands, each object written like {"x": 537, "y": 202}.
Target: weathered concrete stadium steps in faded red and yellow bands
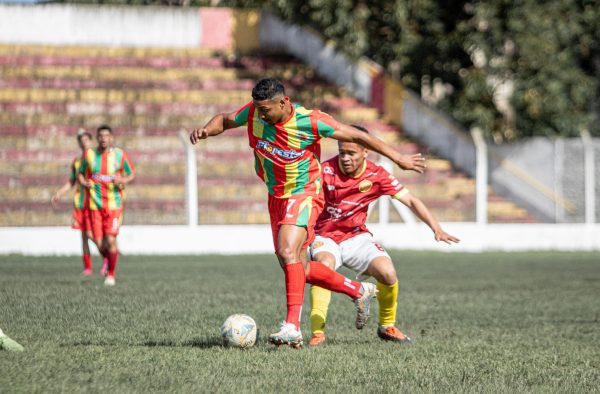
{"x": 147, "y": 95}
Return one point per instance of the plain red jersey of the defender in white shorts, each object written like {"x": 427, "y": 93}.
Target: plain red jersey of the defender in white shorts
{"x": 347, "y": 199}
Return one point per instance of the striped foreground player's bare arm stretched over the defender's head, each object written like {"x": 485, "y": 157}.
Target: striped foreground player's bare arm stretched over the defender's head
{"x": 406, "y": 162}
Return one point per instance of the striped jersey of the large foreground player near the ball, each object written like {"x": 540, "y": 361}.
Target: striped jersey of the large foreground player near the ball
{"x": 286, "y": 155}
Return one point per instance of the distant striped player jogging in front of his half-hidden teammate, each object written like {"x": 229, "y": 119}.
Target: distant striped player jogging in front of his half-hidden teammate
{"x": 105, "y": 171}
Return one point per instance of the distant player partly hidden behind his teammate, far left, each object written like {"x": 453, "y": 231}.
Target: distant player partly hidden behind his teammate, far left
{"x": 81, "y": 216}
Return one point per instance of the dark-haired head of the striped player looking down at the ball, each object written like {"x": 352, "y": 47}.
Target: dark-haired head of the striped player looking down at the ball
{"x": 270, "y": 100}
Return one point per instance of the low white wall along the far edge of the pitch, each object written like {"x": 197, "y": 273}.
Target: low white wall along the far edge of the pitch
{"x": 172, "y": 240}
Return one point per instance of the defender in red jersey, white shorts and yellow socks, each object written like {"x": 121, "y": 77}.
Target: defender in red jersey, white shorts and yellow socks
{"x": 351, "y": 183}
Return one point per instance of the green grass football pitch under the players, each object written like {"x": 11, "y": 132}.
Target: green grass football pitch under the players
{"x": 492, "y": 322}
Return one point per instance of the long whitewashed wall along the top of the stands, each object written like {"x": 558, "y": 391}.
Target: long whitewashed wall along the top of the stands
{"x": 100, "y": 25}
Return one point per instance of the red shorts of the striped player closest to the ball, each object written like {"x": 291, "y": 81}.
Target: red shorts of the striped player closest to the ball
{"x": 300, "y": 210}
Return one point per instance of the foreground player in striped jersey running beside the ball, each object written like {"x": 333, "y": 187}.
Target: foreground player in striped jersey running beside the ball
{"x": 285, "y": 139}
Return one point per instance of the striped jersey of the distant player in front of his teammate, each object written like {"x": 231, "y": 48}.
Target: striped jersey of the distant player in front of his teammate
{"x": 100, "y": 169}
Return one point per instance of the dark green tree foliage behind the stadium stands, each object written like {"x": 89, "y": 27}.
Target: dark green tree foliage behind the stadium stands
{"x": 512, "y": 68}
